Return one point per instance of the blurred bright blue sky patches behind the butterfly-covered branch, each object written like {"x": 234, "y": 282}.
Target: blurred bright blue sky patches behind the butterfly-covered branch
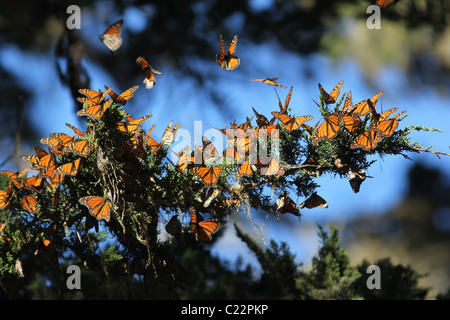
{"x": 185, "y": 103}
